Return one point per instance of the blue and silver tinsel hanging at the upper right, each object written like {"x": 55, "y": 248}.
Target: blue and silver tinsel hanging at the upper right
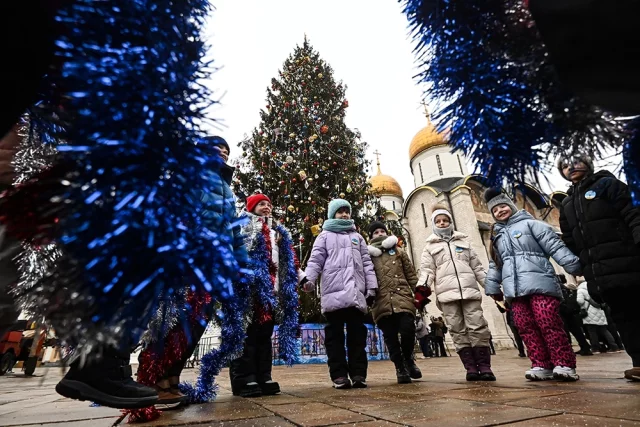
{"x": 496, "y": 93}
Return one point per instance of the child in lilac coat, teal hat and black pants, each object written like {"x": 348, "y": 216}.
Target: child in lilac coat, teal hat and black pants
{"x": 348, "y": 286}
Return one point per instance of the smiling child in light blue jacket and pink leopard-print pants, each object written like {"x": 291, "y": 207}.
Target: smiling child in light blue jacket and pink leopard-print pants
{"x": 520, "y": 250}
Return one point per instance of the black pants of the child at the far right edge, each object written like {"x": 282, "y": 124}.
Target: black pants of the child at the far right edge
{"x": 624, "y": 311}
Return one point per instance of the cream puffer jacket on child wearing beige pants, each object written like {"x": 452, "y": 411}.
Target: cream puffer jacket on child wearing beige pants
{"x": 452, "y": 267}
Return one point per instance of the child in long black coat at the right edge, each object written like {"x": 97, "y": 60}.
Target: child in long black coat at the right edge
{"x": 601, "y": 225}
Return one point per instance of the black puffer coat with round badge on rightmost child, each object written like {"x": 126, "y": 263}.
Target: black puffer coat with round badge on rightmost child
{"x": 600, "y": 225}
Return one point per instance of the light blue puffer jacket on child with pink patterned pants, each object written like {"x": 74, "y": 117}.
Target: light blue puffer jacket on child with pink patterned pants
{"x": 524, "y": 246}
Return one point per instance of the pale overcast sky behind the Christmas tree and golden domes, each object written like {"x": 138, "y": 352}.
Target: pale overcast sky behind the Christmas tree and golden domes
{"x": 365, "y": 41}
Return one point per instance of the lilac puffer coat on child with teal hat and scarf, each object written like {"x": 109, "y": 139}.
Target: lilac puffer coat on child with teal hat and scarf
{"x": 343, "y": 261}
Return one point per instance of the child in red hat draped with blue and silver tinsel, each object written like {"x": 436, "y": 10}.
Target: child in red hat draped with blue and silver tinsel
{"x": 250, "y": 374}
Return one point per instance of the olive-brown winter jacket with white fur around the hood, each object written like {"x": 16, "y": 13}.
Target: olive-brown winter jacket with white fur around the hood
{"x": 396, "y": 278}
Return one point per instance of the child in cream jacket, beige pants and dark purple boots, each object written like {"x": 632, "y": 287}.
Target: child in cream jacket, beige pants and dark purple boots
{"x": 451, "y": 267}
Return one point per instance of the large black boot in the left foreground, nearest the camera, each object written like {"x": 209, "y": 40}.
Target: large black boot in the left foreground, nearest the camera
{"x": 107, "y": 382}
